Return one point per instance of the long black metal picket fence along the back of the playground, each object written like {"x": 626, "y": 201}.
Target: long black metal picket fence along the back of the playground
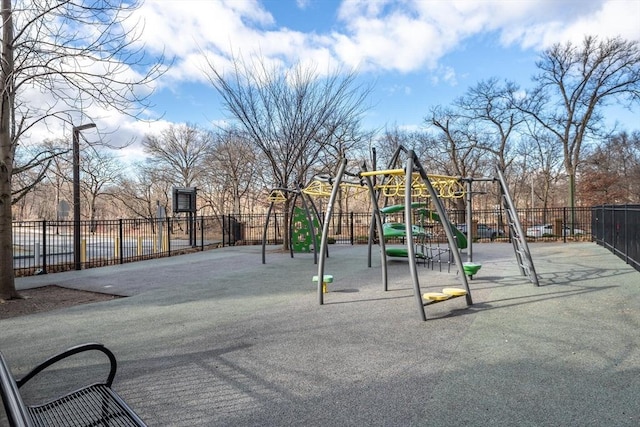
{"x": 48, "y": 246}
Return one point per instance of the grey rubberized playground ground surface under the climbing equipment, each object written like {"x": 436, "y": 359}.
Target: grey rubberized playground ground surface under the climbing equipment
{"x": 217, "y": 338}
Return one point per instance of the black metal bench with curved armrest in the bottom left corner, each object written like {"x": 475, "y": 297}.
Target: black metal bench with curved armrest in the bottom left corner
{"x": 94, "y": 405}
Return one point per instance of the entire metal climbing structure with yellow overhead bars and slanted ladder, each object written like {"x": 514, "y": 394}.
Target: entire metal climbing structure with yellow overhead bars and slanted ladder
{"x": 422, "y": 196}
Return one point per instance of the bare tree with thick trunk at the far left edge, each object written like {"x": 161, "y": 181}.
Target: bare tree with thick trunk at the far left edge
{"x": 80, "y": 55}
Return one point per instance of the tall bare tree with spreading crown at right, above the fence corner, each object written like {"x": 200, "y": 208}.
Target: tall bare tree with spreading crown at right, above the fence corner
{"x": 575, "y": 83}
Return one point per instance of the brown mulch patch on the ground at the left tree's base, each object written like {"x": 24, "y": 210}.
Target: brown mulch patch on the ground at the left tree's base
{"x": 48, "y": 298}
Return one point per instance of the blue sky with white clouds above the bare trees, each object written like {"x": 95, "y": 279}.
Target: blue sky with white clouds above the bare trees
{"x": 417, "y": 53}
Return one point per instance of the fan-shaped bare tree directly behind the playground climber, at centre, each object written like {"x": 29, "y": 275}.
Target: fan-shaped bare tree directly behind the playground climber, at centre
{"x": 289, "y": 115}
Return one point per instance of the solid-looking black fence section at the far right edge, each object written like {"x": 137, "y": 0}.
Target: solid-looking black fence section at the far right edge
{"x": 617, "y": 228}
